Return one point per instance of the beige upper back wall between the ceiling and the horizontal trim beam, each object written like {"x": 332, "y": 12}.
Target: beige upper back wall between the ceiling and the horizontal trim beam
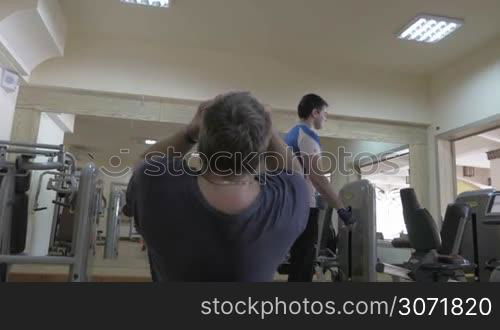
{"x": 193, "y": 74}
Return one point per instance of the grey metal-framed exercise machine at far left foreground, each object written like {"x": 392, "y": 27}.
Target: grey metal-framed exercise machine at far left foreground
{"x": 79, "y": 193}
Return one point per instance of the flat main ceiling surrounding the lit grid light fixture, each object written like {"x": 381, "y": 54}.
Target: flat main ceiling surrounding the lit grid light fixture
{"x": 324, "y": 33}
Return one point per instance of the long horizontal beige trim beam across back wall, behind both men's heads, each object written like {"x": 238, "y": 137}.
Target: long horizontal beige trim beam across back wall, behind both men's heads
{"x": 181, "y": 111}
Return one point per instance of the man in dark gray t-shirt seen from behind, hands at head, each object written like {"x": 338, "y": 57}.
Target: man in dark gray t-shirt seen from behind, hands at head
{"x": 223, "y": 222}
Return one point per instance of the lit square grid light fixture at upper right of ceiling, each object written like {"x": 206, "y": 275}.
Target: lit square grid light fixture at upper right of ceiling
{"x": 430, "y": 28}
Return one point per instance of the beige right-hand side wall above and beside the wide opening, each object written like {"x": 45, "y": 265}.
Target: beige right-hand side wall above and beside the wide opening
{"x": 460, "y": 94}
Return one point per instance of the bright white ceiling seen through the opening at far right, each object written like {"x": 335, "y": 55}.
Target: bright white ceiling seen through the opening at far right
{"x": 472, "y": 151}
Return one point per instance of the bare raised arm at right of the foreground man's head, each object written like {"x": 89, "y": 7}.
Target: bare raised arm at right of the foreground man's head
{"x": 285, "y": 158}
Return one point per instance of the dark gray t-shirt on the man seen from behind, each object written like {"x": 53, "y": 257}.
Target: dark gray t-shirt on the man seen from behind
{"x": 189, "y": 240}
